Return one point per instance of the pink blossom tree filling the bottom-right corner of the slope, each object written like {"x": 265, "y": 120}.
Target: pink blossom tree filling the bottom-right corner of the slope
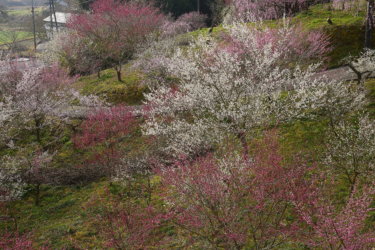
{"x": 334, "y": 226}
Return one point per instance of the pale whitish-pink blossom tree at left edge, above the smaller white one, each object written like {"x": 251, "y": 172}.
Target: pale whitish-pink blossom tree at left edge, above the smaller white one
{"x": 33, "y": 99}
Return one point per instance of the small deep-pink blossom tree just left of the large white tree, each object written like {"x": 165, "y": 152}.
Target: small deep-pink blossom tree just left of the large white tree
{"x": 102, "y": 133}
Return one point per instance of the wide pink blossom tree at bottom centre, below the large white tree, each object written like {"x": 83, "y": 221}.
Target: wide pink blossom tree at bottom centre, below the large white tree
{"x": 230, "y": 203}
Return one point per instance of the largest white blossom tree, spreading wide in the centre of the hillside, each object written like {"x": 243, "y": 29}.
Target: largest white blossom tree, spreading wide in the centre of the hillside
{"x": 225, "y": 89}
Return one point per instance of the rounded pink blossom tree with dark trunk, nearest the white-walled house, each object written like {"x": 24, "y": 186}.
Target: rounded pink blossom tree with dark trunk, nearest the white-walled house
{"x": 117, "y": 29}
